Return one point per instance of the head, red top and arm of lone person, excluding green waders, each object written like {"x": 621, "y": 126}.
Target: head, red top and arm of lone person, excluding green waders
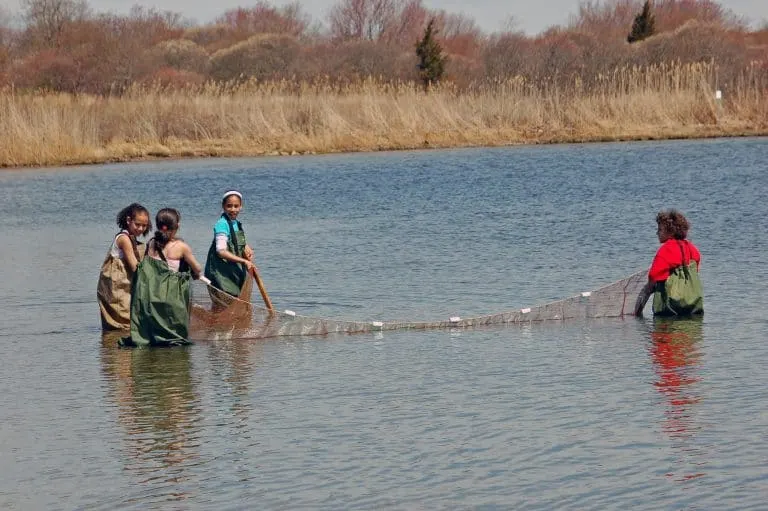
{"x": 675, "y": 251}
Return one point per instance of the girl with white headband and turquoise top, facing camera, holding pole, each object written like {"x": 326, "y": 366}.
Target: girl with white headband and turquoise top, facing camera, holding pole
{"x": 230, "y": 258}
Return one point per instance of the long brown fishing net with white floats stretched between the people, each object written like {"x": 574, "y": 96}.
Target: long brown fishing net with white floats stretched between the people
{"x": 217, "y": 315}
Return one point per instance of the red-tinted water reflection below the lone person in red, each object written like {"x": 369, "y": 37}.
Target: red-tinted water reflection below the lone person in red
{"x": 675, "y": 351}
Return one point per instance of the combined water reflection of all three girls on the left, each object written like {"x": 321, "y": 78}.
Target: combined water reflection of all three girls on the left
{"x": 159, "y": 411}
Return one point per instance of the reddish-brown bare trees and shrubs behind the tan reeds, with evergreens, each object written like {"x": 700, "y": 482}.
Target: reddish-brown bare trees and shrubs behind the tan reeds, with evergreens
{"x": 64, "y": 45}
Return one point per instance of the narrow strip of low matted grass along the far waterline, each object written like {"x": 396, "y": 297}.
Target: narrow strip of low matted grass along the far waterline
{"x": 232, "y": 148}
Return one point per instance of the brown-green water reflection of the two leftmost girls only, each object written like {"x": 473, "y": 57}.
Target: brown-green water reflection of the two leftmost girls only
{"x": 158, "y": 409}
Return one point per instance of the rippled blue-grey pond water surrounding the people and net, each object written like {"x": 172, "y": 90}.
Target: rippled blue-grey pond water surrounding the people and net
{"x": 630, "y": 413}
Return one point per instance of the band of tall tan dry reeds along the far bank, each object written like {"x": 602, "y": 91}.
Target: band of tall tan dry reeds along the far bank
{"x": 656, "y": 102}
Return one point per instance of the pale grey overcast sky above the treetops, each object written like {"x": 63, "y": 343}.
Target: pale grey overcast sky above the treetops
{"x": 492, "y": 15}
